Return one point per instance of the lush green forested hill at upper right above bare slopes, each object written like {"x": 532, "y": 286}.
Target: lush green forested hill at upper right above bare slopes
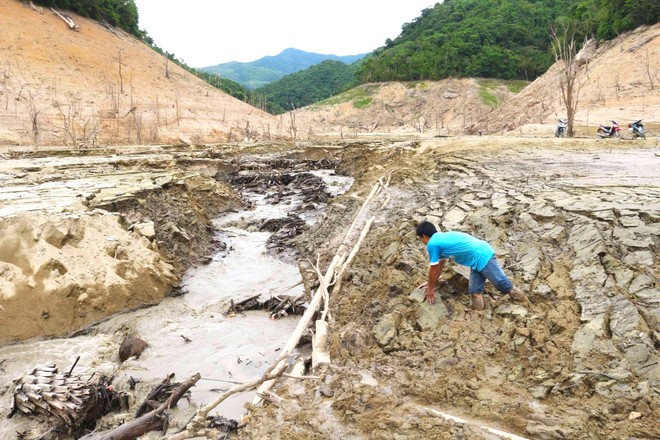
{"x": 506, "y": 39}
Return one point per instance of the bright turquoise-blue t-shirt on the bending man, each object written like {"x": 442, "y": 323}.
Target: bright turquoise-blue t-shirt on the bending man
{"x": 460, "y": 247}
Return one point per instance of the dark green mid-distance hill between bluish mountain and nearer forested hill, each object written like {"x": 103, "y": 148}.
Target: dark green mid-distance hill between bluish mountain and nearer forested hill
{"x": 308, "y": 86}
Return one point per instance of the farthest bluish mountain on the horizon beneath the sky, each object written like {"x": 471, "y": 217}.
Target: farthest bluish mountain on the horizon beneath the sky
{"x": 258, "y": 73}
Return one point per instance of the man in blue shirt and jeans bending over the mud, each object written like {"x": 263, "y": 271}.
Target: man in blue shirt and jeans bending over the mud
{"x": 468, "y": 251}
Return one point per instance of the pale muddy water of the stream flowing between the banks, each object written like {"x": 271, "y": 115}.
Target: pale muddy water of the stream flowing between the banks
{"x": 188, "y": 334}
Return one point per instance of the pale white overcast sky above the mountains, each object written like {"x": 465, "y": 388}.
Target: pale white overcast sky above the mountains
{"x": 208, "y": 32}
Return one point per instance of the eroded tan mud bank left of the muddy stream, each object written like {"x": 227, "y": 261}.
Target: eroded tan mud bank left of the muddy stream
{"x": 87, "y": 237}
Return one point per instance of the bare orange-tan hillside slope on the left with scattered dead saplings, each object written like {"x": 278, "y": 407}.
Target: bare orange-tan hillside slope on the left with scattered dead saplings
{"x": 101, "y": 86}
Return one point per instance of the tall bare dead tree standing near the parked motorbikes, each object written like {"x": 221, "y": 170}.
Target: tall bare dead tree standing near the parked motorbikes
{"x": 564, "y": 48}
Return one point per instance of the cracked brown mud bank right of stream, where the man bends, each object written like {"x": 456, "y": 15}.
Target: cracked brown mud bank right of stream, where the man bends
{"x": 575, "y": 225}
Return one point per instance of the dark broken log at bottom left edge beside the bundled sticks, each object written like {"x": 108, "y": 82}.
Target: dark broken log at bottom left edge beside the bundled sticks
{"x": 152, "y": 421}
